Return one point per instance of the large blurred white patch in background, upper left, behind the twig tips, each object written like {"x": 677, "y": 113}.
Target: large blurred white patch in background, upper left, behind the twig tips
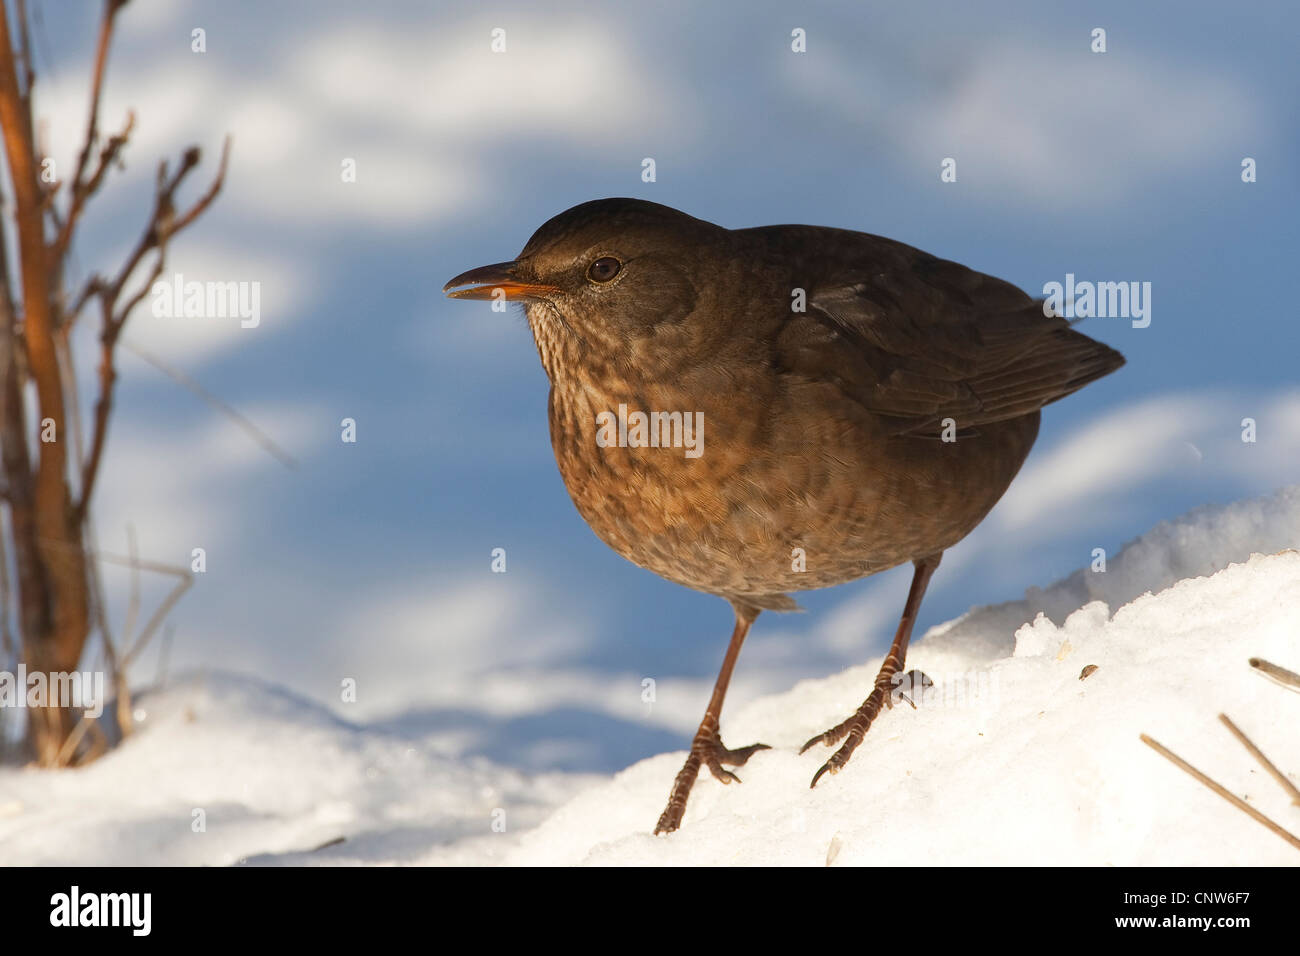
{"x": 415, "y": 113}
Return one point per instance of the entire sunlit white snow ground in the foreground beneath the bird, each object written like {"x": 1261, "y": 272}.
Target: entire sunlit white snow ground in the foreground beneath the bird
{"x": 1011, "y": 760}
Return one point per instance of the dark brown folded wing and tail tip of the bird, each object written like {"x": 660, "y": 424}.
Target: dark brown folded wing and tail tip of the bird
{"x": 933, "y": 340}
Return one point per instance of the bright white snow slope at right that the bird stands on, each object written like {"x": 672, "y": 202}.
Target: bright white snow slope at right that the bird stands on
{"x": 1030, "y": 765}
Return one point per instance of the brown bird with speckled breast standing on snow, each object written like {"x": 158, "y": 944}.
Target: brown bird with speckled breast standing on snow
{"x": 759, "y": 412}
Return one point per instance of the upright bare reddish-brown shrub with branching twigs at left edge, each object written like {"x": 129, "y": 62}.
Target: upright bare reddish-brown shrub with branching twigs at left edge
{"x": 50, "y": 540}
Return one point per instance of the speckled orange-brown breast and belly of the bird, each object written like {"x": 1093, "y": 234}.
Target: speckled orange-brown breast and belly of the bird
{"x": 751, "y": 507}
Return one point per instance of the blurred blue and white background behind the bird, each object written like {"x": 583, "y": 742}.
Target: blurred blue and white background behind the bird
{"x": 372, "y": 560}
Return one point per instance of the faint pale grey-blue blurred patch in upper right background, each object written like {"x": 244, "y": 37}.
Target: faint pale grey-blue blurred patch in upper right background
{"x": 1061, "y": 131}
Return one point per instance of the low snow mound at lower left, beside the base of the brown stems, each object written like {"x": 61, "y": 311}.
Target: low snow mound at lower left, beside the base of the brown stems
{"x": 276, "y": 777}
